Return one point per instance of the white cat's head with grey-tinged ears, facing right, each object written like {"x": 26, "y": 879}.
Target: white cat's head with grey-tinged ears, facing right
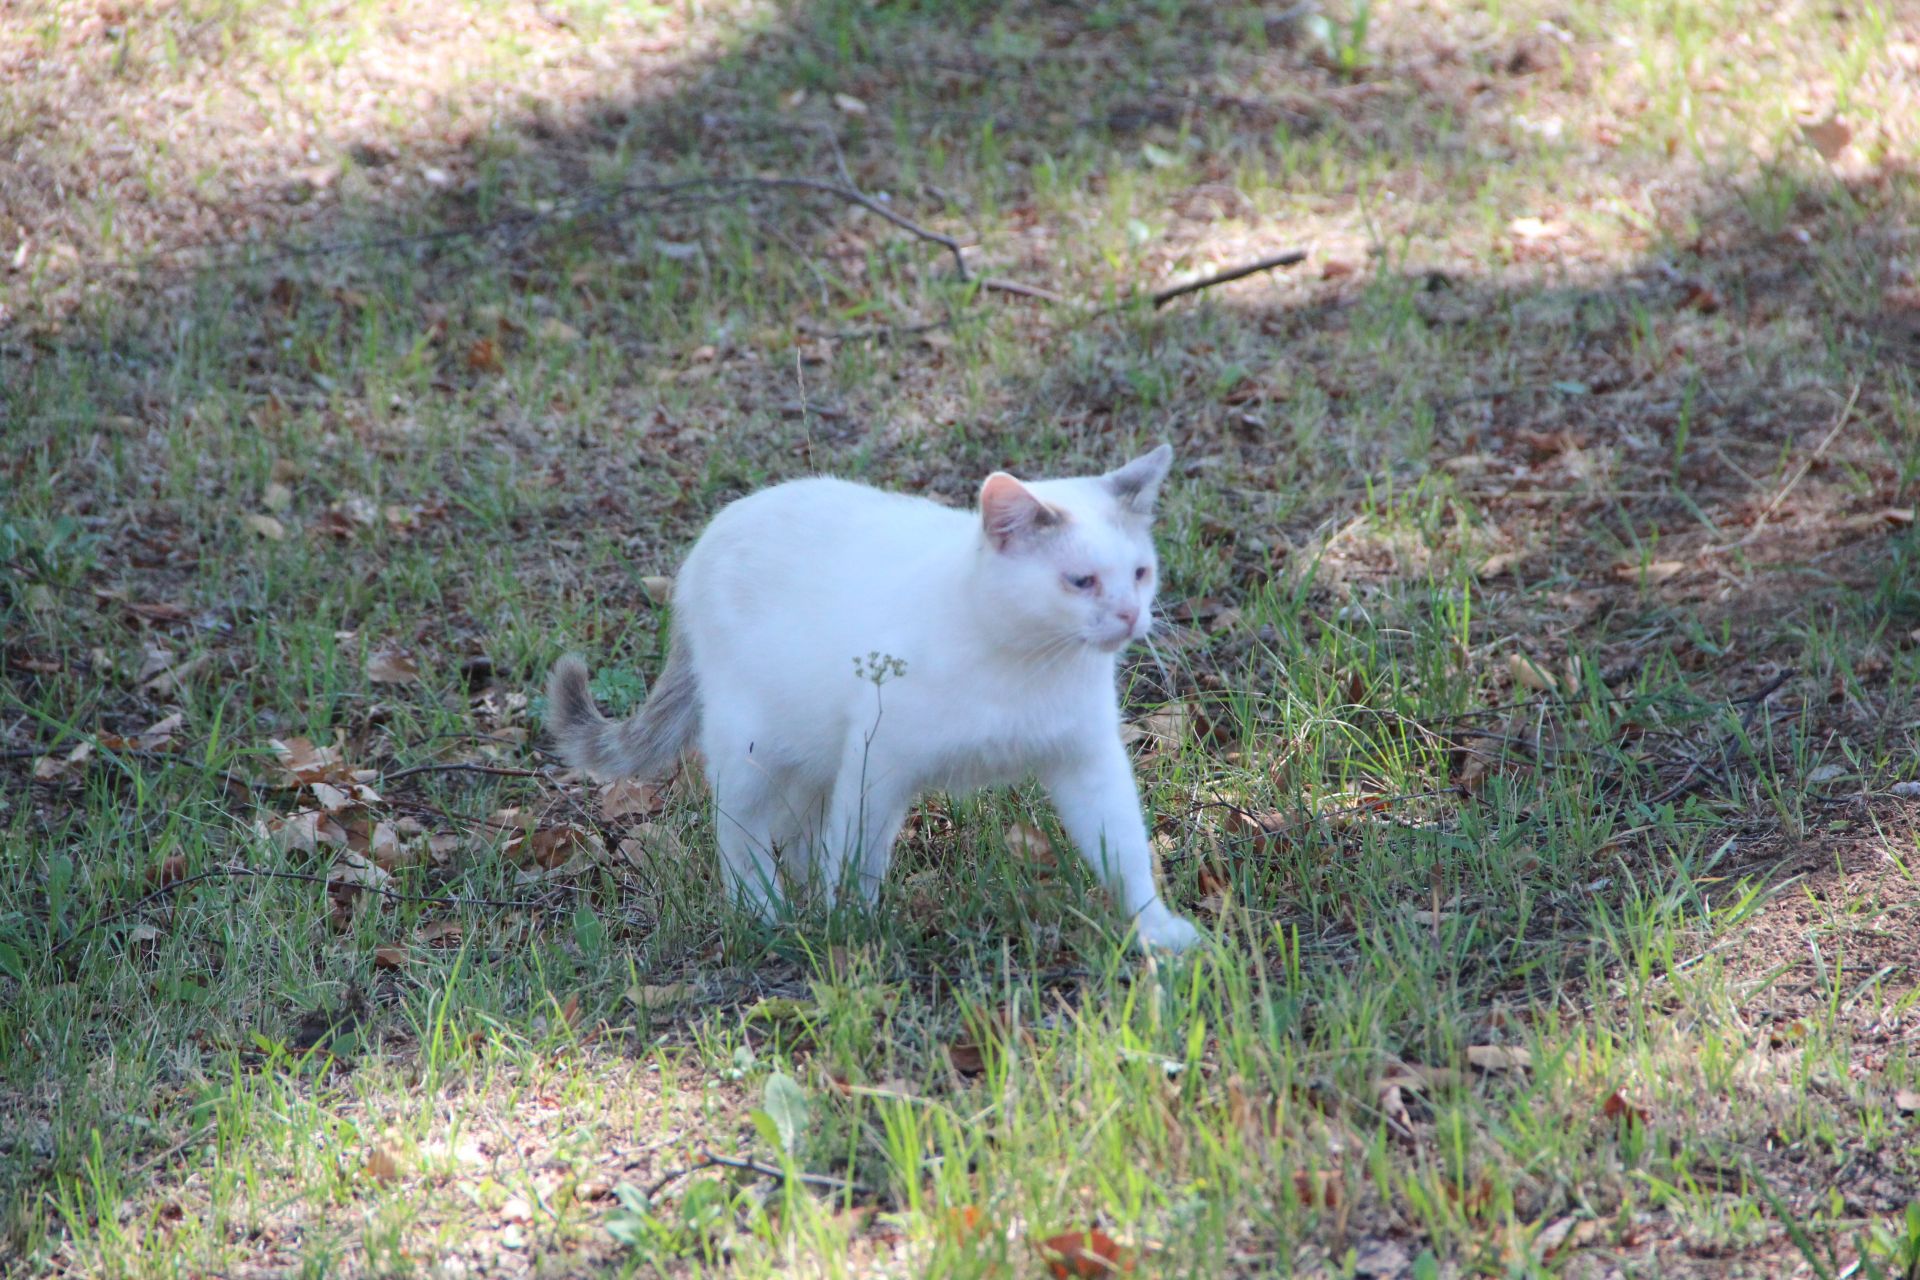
{"x": 1072, "y": 561}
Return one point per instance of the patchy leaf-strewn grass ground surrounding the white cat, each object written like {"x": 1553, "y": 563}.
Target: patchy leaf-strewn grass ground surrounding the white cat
{"x": 1527, "y": 730}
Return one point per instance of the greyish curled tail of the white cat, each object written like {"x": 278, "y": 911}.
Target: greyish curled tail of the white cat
{"x": 646, "y": 744}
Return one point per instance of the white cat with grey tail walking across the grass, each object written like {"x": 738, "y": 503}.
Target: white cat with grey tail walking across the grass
{"x": 840, "y": 650}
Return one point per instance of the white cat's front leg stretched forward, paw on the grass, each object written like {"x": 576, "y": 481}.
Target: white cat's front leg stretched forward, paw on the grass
{"x": 1101, "y": 809}
